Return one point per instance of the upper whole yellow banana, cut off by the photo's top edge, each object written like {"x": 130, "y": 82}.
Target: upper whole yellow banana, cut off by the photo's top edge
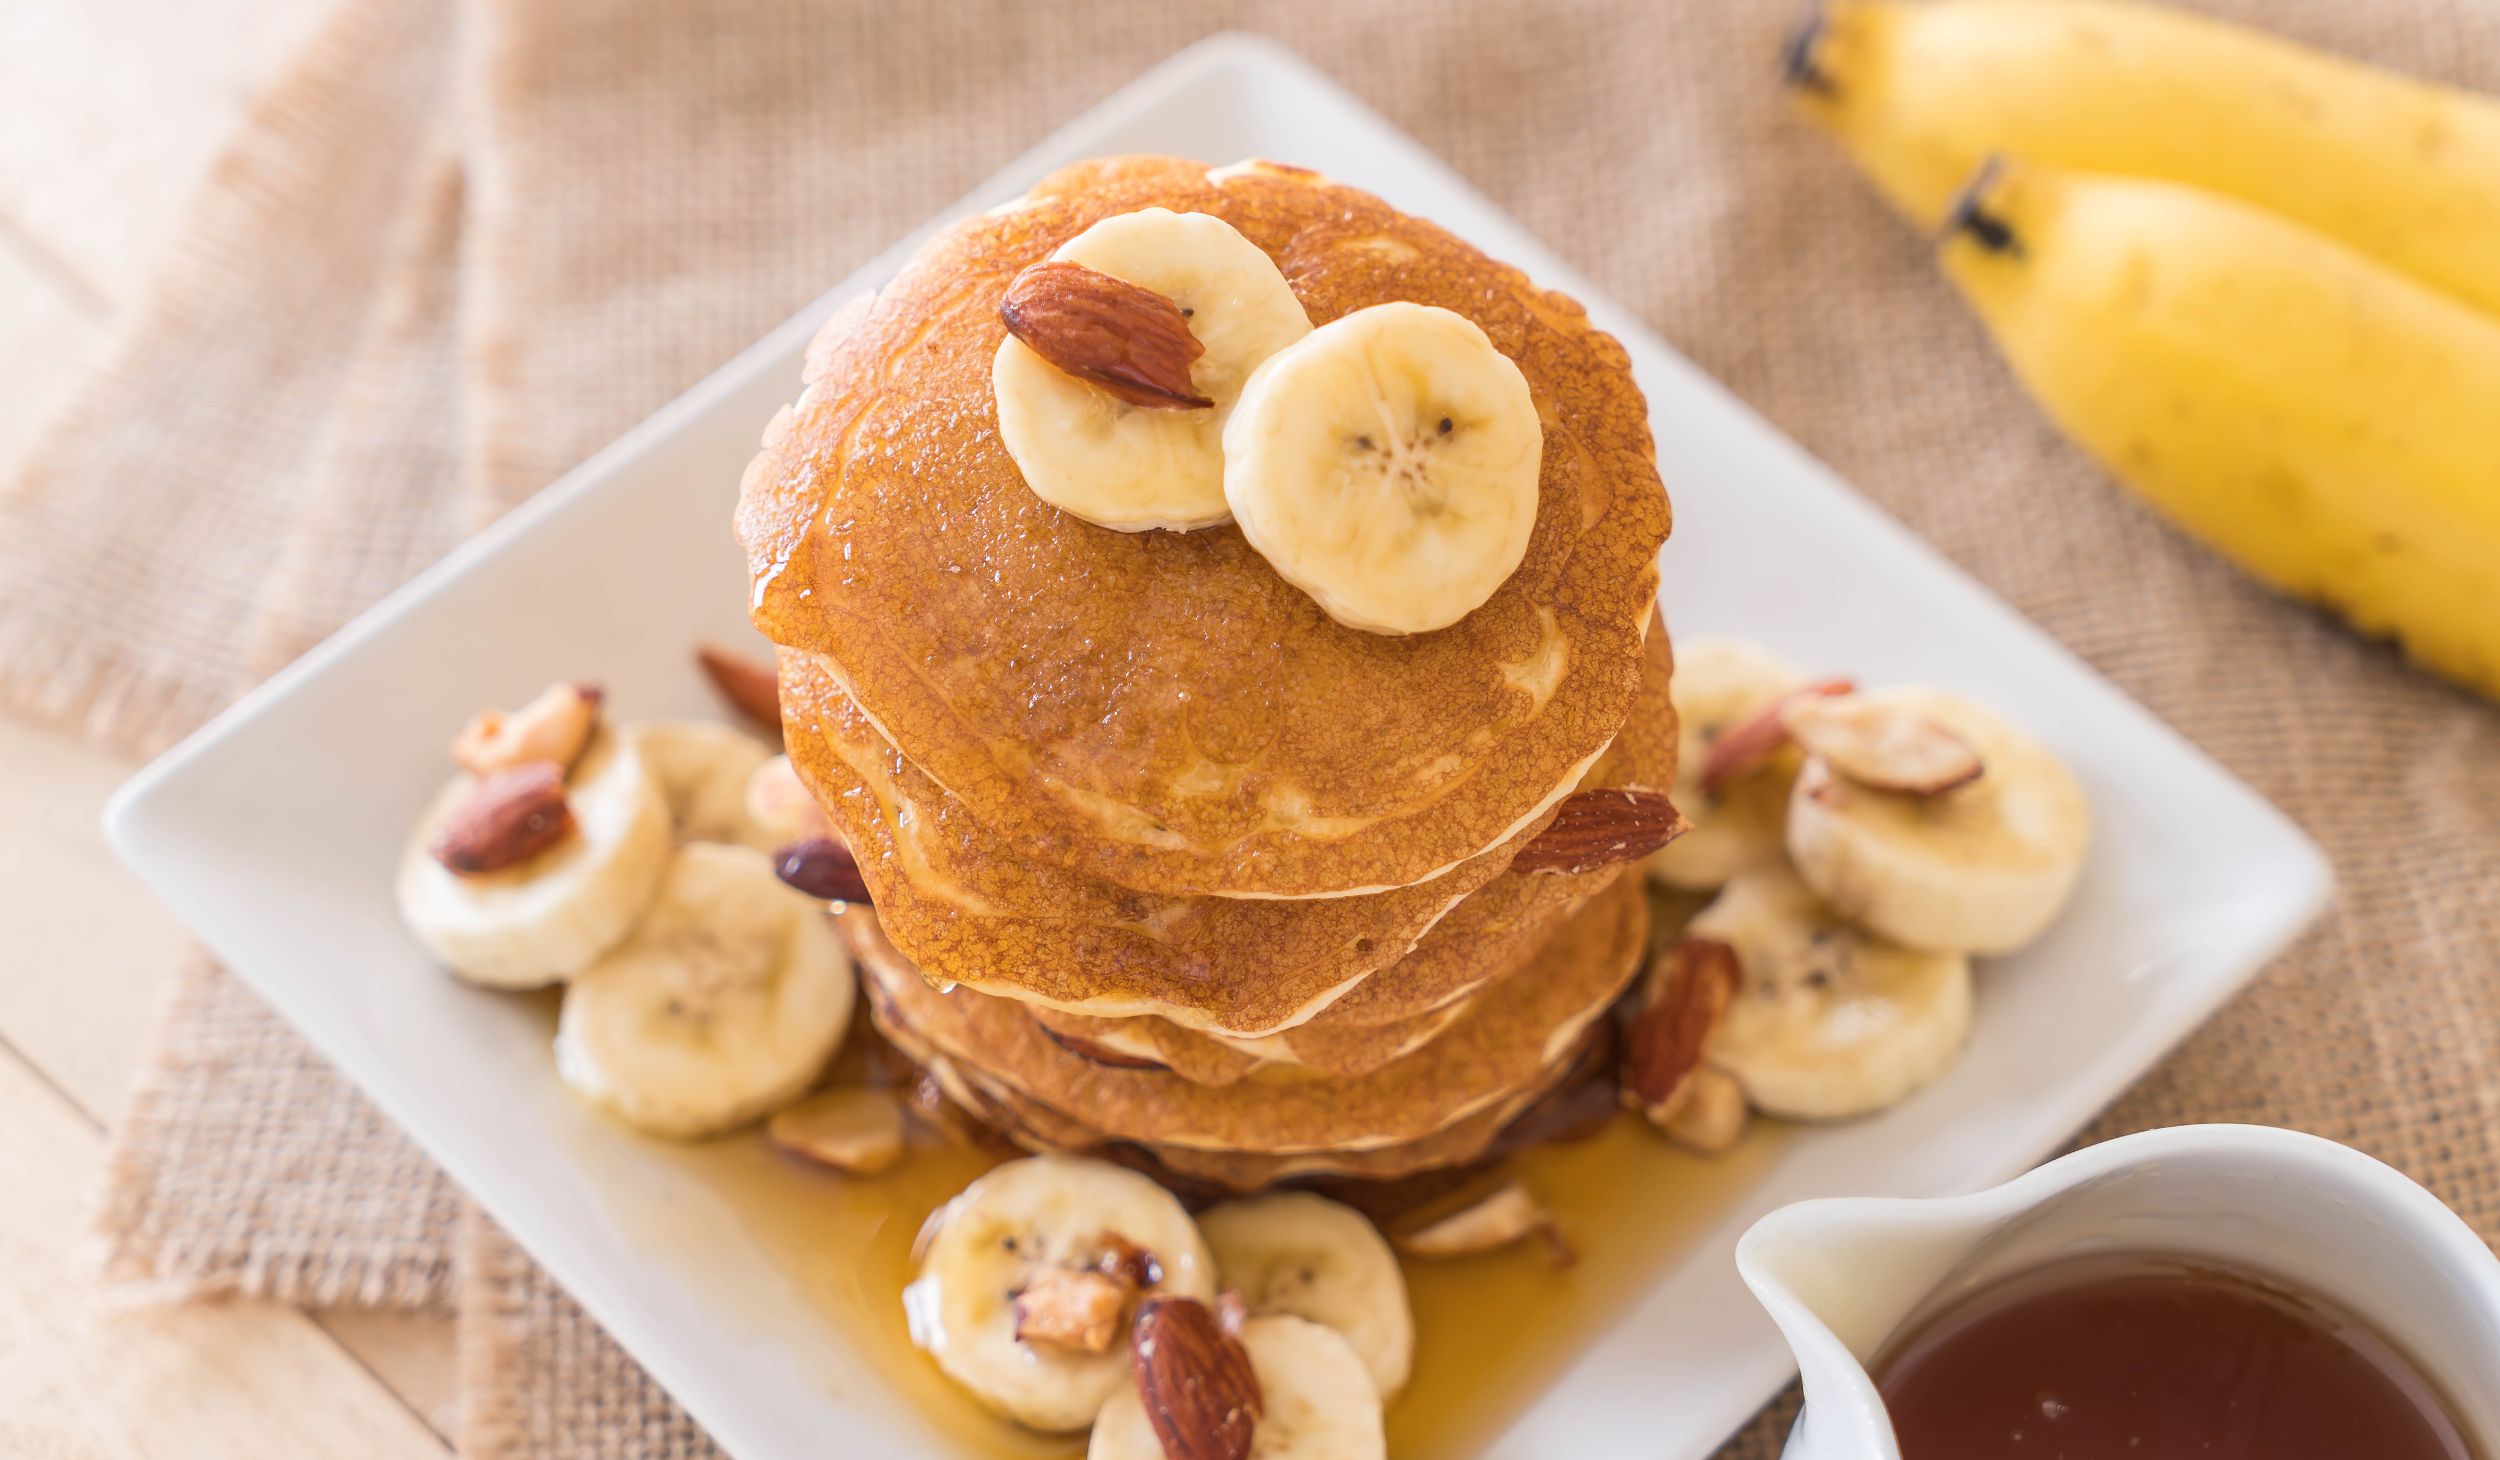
{"x": 2394, "y": 166}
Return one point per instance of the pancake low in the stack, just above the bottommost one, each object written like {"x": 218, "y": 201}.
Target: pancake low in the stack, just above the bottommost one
{"x": 1506, "y": 1041}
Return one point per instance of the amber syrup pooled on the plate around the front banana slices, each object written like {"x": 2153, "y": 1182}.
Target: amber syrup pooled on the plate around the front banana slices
{"x": 1624, "y": 1196}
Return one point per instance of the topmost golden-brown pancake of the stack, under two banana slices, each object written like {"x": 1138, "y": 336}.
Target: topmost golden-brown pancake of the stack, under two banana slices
{"x": 1161, "y": 709}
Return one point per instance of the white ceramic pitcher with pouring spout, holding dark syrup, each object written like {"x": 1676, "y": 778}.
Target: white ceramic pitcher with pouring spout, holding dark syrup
{"x": 1839, "y": 1276}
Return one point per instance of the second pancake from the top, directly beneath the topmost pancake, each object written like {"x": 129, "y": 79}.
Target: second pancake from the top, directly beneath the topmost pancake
{"x": 966, "y": 911}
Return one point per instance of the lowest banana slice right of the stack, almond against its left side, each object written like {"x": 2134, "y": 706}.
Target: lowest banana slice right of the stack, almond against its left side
{"x": 1829, "y": 1021}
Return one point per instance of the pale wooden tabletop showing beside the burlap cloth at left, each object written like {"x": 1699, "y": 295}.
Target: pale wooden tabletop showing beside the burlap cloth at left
{"x": 109, "y": 114}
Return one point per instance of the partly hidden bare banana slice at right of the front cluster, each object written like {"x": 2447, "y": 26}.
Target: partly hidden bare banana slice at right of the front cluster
{"x": 1324, "y": 1261}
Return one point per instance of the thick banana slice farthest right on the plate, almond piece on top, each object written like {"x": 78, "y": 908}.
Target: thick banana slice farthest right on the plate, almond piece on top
{"x": 1976, "y": 869}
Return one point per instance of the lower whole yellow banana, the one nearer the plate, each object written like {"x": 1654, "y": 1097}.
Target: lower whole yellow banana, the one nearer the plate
{"x": 2321, "y": 419}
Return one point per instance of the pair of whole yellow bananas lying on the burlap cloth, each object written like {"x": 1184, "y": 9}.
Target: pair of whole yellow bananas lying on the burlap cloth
{"x": 2256, "y": 281}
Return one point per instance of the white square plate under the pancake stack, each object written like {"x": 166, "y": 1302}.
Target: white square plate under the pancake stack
{"x": 274, "y": 834}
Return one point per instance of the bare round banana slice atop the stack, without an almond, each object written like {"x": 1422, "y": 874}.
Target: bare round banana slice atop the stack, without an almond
{"x": 1389, "y": 466}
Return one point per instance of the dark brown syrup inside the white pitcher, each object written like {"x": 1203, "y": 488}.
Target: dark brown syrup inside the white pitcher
{"x": 2156, "y": 1359}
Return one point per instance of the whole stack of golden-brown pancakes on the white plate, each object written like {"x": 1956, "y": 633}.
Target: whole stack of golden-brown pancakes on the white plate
{"x": 1161, "y": 854}
